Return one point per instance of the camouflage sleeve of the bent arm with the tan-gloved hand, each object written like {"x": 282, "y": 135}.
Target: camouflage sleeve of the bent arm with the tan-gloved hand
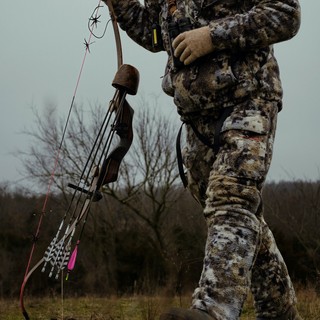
{"x": 266, "y": 23}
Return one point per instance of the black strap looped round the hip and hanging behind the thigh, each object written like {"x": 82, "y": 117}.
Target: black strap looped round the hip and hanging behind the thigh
{"x": 215, "y": 146}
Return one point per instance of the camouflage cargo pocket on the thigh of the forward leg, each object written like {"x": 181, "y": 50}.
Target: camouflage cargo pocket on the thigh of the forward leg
{"x": 246, "y": 144}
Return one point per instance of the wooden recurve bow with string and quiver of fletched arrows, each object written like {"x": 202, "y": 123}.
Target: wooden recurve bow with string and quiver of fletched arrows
{"x": 101, "y": 167}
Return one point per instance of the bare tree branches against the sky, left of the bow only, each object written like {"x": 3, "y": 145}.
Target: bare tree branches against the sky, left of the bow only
{"x": 55, "y": 149}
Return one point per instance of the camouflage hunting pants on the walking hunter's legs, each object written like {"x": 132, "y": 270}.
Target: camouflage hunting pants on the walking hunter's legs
{"x": 241, "y": 252}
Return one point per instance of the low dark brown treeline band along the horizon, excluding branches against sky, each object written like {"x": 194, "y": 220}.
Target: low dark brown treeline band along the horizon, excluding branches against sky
{"x": 129, "y": 251}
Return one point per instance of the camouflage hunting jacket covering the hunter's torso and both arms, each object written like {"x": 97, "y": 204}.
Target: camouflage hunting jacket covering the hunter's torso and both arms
{"x": 243, "y": 33}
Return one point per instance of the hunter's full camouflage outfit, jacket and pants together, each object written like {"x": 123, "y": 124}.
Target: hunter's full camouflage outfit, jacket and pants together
{"x": 242, "y": 73}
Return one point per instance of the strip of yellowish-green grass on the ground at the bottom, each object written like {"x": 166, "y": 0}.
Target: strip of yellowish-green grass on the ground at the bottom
{"x": 133, "y": 308}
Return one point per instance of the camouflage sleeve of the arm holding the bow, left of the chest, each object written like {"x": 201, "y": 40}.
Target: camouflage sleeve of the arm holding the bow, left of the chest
{"x": 137, "y": 20}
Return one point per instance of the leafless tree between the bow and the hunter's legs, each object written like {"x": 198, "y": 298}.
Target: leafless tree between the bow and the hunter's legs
{"x": 149, "y": 176}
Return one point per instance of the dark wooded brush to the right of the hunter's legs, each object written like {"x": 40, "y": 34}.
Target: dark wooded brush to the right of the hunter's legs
{"x": 293, "y": 211}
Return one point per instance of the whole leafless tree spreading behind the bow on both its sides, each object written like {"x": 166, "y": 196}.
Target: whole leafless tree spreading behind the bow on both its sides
{"x": 148, "y": 183}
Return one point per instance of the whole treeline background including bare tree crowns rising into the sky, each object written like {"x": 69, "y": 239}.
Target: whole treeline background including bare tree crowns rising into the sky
{"x": 147, "y": 234}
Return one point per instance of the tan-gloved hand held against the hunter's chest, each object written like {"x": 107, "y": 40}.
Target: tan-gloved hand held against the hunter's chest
{"x": 193, "y": 44}
